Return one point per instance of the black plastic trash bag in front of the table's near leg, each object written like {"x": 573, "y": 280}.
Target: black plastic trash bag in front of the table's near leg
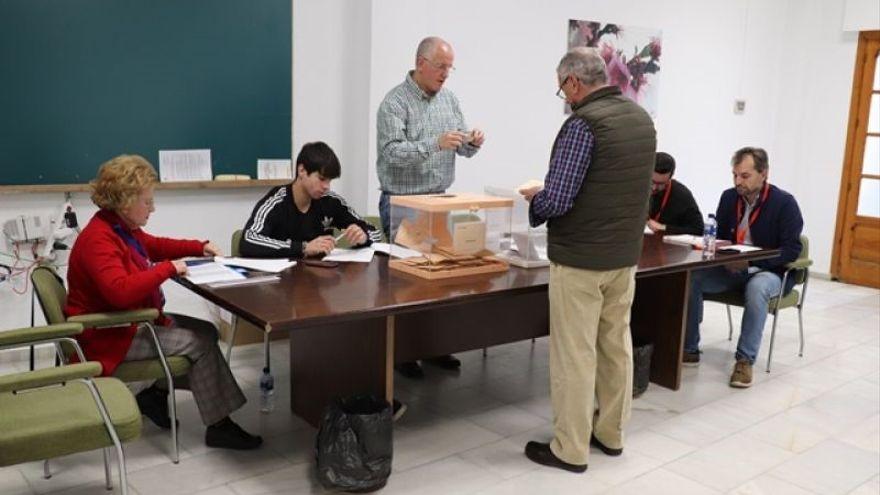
{"x": 355, "y": 445}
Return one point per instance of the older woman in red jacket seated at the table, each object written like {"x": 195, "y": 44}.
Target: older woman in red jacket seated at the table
{"x": 116, "y": 266}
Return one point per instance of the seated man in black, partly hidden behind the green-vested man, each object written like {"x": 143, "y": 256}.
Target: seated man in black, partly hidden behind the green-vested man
{"x": 672, "y": 209}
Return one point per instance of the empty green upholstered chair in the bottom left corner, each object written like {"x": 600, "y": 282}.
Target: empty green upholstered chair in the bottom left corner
{"x": 57, "y": 411}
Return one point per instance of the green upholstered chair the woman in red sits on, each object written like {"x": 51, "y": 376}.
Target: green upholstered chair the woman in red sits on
{"x": 53, "y": 296}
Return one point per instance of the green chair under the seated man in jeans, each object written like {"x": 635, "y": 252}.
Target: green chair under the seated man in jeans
{"x": 799, "y": 269}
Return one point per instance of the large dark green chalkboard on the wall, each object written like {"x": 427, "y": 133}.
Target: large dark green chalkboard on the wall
{"x": 82, "y": 81}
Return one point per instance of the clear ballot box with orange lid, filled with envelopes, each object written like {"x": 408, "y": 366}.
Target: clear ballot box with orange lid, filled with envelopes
{"x": 438, "y": 236}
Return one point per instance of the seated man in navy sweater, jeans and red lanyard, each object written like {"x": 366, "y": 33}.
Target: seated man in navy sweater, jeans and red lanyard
{"x": 754, "y": 213}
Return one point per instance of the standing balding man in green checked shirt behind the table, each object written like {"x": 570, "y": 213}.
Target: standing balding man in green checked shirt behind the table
{"x": 420, "y": 130}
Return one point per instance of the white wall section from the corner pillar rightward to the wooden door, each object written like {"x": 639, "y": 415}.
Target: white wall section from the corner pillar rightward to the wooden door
{"x": 788, "y": 59}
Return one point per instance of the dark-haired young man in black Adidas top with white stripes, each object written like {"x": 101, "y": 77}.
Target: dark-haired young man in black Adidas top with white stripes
{"x": 297, "y": 220}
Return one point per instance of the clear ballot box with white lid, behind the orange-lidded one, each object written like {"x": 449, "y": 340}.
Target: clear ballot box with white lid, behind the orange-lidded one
{"x": 526, "y": 247}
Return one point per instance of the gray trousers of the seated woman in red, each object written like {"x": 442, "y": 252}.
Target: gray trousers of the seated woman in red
{"x": 209, "y": 379}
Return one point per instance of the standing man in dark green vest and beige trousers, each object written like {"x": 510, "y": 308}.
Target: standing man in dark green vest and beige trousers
{"x": 594, "y": 200}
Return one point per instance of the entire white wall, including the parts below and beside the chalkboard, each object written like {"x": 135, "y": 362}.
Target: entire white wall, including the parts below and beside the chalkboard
{"x": 789, "y": 59}
